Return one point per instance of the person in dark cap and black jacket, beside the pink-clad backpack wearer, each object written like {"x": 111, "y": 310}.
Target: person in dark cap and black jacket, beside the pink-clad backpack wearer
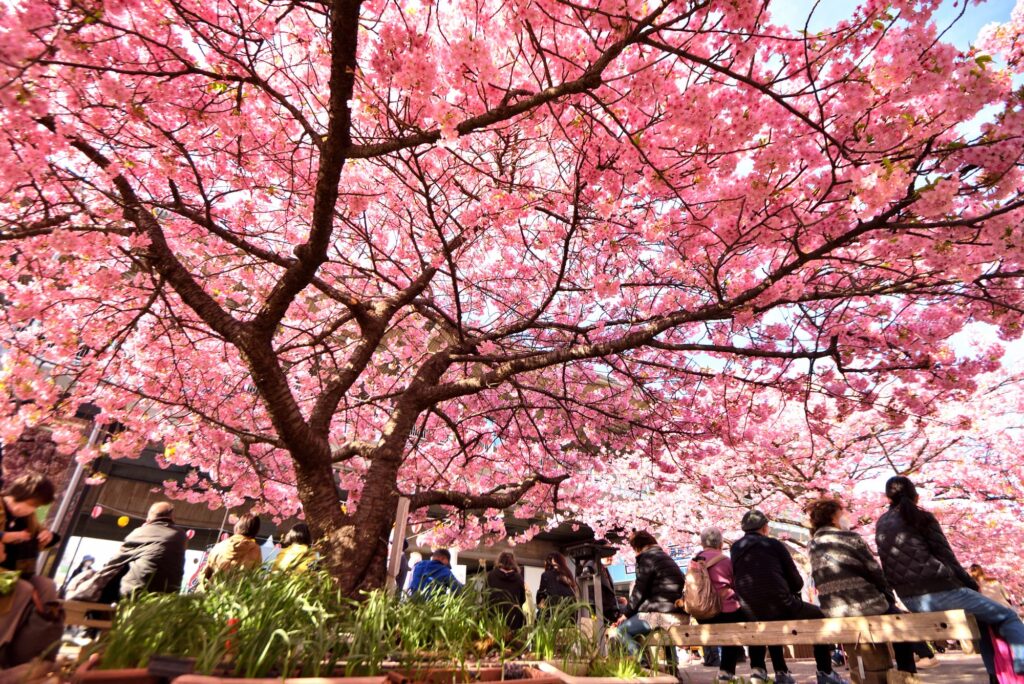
{"x": 766, "y": 579}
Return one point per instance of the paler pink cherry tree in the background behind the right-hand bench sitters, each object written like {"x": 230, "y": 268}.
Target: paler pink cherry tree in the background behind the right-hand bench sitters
{"x": 963, "y": 450}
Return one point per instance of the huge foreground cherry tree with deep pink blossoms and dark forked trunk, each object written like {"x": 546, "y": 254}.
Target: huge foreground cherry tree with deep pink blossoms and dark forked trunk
{"x": 472, "y": 253}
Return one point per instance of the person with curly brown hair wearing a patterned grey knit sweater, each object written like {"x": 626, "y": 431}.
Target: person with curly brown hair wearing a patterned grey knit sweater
{"x": 848, "y": 579}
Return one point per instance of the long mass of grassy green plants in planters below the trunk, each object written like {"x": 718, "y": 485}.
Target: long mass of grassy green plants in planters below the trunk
{"x": 259, "y": 625}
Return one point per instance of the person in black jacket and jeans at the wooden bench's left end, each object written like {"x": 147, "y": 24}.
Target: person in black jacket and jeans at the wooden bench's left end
{"x": 659, "y": 585}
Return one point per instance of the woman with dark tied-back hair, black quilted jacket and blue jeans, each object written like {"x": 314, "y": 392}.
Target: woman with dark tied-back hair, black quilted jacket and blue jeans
{"x": 921, "y": 566}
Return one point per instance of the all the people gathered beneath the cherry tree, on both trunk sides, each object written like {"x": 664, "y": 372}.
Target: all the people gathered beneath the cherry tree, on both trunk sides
{"x": 757, "y": 581}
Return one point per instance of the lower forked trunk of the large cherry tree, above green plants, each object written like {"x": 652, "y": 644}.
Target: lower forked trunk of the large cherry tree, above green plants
{"x": 355, "y": 547}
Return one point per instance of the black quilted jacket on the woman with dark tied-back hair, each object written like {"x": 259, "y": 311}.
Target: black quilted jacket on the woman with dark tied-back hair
{"x": 918, "y": 563}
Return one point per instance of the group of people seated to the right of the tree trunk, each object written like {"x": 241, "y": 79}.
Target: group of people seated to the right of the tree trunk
{"x": 759, "y": 581}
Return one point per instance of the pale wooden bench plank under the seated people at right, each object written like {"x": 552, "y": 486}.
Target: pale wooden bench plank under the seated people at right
{"x": 955, "y": 625}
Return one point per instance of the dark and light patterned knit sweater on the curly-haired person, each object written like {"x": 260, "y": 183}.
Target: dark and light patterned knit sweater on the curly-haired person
{"x": 847, "y": 576}
